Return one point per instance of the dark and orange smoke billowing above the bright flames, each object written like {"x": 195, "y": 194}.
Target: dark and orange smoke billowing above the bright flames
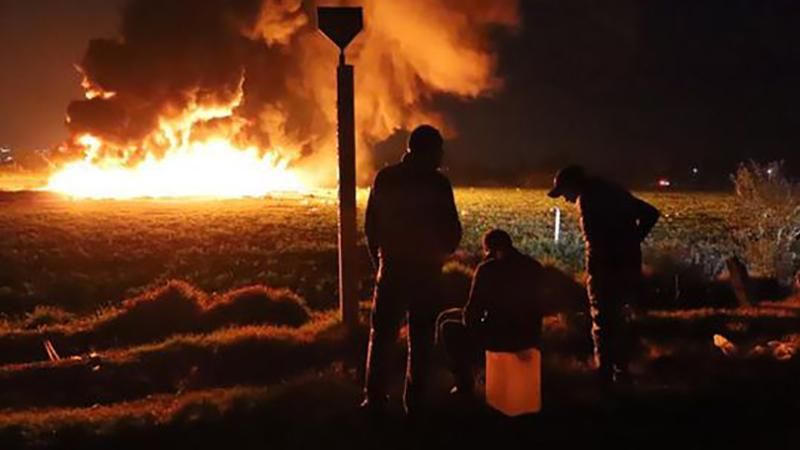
{"x": 260, "y": 70}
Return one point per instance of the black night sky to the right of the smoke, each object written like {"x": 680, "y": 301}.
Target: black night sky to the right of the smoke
{"x": 643, "y": 88}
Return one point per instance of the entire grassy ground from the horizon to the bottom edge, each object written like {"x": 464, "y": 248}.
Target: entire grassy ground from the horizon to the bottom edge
{"x": 218, "y": 359}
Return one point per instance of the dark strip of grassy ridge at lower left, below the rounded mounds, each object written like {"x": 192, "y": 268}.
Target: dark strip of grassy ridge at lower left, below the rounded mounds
{"x": 246, "y": 355}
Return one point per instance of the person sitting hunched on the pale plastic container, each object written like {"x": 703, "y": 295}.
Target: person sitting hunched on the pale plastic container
{"x": 503, "y": 313}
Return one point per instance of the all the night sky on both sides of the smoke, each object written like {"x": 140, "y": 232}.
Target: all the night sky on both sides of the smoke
{"x": 631, "y": 88}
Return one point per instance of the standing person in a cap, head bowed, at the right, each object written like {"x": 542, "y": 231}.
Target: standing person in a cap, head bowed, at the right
{"x": 614, "y": 224}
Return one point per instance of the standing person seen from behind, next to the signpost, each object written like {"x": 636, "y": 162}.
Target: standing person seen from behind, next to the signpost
{"x": 412, "y": 226}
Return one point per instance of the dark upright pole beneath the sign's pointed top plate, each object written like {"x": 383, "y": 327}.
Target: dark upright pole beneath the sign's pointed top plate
{"x": 348, "y": 282}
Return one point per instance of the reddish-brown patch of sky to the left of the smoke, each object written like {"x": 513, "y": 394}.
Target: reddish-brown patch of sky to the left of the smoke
{"x": 40, "y": 41}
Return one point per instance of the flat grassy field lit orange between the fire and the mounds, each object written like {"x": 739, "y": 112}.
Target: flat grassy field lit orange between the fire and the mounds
{"x": 85, "y": 254}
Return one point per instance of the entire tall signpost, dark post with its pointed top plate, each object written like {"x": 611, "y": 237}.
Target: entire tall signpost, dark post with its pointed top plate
{"x": 341, "y": 25}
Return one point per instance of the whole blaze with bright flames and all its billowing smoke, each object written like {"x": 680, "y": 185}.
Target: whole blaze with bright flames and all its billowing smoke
{"x": 231, "y": 98}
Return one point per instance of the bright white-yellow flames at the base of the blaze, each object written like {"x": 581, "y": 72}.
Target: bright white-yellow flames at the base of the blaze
{"x": 188, "y": 166}
